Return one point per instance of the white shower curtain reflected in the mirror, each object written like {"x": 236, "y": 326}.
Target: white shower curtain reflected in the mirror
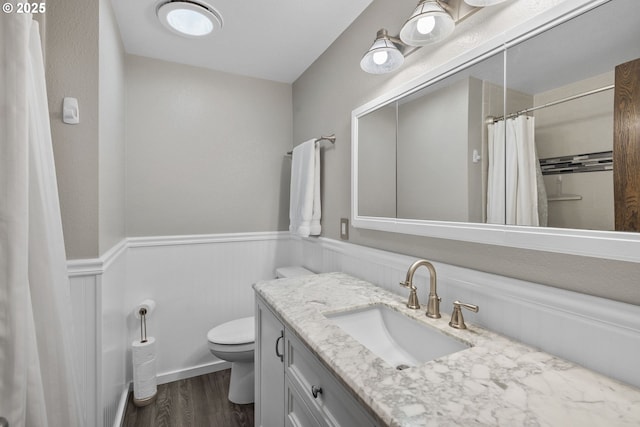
{"x": 515, "y": 190}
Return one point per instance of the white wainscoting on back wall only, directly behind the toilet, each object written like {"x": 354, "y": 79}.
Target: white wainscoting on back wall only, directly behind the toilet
{"x": 198, "y": 282}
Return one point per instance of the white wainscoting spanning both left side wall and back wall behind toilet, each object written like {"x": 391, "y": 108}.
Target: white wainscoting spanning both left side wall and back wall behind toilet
{"x": 197, "y": 283}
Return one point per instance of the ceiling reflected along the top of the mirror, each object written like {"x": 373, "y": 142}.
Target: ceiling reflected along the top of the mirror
{"x": 582, "y": 48}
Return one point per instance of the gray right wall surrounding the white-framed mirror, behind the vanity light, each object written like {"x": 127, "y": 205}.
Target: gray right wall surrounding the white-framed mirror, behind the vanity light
{"x": 325, "y": 95}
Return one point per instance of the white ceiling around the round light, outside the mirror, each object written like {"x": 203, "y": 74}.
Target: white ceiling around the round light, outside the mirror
{"x": 268, "y": 39}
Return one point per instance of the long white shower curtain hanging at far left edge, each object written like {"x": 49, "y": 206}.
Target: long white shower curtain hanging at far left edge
{"x": 37, "y": 380}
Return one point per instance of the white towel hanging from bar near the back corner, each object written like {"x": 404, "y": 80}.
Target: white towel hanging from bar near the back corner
{"x": 304, "y": 208}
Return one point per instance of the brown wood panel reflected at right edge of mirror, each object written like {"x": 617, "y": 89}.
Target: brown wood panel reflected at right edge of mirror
{"x": 626, "y": 147}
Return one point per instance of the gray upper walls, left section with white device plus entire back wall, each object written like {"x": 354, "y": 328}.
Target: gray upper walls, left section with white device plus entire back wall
{"x": 204, "y": 150}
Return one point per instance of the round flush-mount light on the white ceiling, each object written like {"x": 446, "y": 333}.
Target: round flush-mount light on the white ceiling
{"x": 189, "y": 18}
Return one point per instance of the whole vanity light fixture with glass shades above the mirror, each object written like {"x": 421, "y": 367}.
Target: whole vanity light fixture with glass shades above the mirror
{"x": 431, "y": 21}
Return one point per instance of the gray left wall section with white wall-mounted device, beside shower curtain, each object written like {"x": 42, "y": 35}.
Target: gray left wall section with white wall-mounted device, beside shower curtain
{"x": 85, "y": 60}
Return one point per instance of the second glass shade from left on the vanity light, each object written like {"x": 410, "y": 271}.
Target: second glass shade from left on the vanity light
{"x": 429, "y": 23}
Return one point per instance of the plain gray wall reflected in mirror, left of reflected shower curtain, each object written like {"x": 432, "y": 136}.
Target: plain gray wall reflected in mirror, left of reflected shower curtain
{"x": 428, "y": 187}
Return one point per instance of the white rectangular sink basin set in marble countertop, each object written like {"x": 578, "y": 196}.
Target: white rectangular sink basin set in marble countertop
{"x": 399, "y": 340}
